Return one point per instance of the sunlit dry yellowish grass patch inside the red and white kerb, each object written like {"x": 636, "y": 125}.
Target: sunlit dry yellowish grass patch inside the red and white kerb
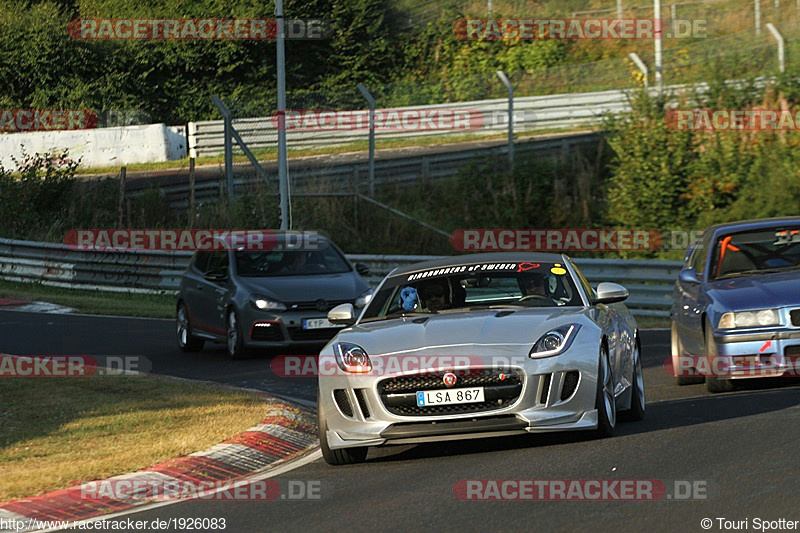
{"x": 55, "y": 431}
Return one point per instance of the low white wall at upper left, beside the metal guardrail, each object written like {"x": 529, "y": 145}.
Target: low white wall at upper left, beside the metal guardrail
{"x": 102, "y": 146}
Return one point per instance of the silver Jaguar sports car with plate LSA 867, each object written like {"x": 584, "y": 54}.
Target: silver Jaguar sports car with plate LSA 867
{"x": 478, "y": 345}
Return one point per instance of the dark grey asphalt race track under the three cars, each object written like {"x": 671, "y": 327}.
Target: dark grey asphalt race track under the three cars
{"x": 742, "y": 446}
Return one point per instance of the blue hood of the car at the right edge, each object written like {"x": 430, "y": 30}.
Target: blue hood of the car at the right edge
{"x": 760, "y": 291}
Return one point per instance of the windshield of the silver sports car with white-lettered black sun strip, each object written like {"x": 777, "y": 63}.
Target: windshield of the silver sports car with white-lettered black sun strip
{"x": 475, "y": 287}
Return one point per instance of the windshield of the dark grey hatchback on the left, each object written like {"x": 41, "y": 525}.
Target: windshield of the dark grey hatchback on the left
{"x": 291, "y": 263}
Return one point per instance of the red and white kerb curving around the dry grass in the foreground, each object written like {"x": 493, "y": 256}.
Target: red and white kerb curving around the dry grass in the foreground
{"x": 288, "y": 432}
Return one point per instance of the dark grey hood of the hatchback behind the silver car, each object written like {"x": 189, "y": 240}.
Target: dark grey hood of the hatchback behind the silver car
{"x": 345, "y": 286}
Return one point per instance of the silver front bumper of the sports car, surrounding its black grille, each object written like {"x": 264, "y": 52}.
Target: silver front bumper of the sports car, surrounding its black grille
{"x": 357, "y": 415}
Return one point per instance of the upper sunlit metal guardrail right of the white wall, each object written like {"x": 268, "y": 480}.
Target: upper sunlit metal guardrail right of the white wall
{"x": 531, "y": 113}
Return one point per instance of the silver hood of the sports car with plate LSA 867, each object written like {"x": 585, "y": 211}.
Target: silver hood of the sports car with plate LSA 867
{"x": 467, "y": 333}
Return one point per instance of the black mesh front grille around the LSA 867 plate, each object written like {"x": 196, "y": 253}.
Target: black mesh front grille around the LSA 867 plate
{"x": 501, "y": 389}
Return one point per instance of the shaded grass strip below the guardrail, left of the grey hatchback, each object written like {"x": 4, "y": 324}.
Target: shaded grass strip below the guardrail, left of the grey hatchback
{"x": 93, "y": 302}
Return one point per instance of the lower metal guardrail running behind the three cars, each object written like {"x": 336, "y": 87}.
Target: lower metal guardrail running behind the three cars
{"x": 649, "y": 282}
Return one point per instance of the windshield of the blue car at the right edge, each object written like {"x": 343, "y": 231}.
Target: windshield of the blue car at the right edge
{"x": 756, "y": 252}
